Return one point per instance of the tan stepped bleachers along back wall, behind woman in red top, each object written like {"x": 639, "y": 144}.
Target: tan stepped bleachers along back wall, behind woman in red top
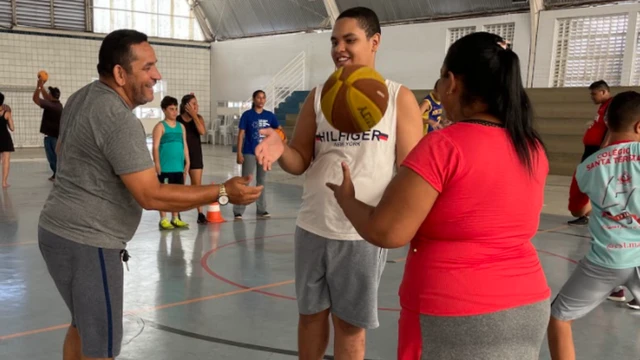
{"x": 562, "y": 116}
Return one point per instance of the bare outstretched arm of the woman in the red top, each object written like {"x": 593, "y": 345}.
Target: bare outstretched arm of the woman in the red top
{"x": 405, "y": 204}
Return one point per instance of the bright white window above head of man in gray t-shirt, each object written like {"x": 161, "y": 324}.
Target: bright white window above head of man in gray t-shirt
{"x": 157, "y": 18}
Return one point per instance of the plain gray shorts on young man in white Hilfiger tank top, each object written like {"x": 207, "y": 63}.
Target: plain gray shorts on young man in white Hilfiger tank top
{"x": 339, "y": 275}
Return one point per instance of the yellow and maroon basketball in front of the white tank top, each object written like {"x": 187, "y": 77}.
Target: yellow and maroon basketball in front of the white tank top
{"x": 354, "y": 99}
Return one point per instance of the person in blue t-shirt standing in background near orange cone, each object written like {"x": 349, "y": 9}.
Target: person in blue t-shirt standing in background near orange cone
{"x": 248, "y": 138}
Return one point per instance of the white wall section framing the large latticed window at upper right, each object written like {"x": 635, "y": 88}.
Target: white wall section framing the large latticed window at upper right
{"x": 546, "y": 44}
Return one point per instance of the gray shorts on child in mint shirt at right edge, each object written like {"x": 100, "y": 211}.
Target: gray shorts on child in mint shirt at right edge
{"x": 589, "y": 286}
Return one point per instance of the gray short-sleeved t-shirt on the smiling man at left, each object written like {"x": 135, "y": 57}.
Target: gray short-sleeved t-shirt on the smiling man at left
{"x": 100, "y": 139}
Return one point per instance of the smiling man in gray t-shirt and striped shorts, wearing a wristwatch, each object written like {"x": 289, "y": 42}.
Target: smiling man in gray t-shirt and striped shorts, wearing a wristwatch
{"x": 105, "y": 178}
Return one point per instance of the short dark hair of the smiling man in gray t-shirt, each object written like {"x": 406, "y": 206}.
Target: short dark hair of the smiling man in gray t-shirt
{"x": 116, "y": 50}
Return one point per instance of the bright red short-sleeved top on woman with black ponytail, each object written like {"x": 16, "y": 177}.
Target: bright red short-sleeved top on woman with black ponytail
{"x": 473, "y": 253}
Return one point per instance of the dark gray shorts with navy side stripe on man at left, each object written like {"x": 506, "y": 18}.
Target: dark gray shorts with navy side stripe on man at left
{"x": 90, "y": 281}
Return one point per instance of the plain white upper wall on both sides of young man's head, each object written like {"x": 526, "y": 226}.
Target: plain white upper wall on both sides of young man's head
{"x": 410, "y": 54}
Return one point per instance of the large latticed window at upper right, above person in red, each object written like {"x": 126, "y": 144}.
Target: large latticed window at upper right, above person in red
{"x": 590, "y": 49}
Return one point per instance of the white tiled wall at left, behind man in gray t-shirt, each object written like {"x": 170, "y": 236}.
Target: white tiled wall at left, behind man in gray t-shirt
{"x": 71, "y": 59}
